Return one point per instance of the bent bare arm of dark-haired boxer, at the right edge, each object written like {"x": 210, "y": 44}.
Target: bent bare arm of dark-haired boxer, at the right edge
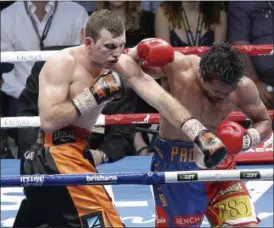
{"x": 251, "y": 105}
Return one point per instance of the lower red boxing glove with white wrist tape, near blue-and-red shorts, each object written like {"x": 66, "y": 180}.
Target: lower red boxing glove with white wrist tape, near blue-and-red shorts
{"x": 236, "y": 138}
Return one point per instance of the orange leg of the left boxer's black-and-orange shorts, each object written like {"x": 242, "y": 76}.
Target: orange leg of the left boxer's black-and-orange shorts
{"x": 93, "y": 206}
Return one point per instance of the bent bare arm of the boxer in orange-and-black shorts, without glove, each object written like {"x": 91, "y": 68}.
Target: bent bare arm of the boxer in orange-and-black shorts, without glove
{"x": 55, "y": 110}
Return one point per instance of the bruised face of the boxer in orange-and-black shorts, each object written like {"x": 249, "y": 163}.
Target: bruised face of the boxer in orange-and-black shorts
{"x": 106, "y": 50}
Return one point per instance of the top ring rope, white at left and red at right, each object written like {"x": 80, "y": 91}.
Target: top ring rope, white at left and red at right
{"x": 33, "y": 56}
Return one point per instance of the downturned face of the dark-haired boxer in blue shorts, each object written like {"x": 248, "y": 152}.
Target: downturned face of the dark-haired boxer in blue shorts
{"x": 216, "y": 90}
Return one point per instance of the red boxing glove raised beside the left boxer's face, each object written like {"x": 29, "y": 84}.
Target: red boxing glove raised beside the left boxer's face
{"x": 156, "y": 52}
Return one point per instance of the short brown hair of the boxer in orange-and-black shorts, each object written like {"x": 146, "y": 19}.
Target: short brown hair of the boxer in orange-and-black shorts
{"x": 103, "y": 19}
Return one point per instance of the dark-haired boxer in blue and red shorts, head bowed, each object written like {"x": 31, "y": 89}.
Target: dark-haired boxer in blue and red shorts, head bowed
{"x": 211, "y": 87}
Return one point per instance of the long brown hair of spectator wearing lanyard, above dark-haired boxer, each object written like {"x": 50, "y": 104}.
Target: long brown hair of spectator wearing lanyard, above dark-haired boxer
{"x": 211, "y": 12}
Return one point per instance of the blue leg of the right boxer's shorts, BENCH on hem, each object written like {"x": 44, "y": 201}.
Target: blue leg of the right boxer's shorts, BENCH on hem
{"x": 177, "y": 205}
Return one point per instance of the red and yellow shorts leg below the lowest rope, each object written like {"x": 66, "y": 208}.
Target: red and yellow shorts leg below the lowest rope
{"x": 230, "y": 205}
